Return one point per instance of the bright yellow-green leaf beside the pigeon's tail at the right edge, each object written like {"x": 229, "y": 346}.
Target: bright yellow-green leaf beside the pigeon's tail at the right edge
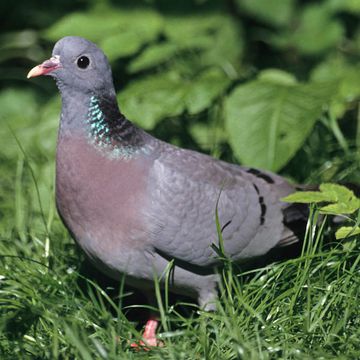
{"x": 342, "y": 199}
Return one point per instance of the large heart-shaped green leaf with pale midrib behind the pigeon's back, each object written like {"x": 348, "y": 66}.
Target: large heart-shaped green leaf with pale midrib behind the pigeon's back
{"x": 267, "y": 121}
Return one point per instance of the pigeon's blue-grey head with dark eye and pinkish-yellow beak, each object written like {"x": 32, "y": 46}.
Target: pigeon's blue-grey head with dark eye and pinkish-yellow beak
{"x": 79, "y": 65}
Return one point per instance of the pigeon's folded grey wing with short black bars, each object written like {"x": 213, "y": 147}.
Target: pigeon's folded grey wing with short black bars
{"x": 185, "y": 187}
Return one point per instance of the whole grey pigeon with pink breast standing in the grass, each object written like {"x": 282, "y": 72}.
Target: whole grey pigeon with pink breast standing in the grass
{"x": 137, "y": 205}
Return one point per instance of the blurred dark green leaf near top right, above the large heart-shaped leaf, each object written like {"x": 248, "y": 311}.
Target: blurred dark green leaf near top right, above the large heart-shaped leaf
{"x": 309, "y": 37}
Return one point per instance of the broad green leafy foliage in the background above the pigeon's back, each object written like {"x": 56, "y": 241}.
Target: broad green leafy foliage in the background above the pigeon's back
{"x": 186, "y": 55}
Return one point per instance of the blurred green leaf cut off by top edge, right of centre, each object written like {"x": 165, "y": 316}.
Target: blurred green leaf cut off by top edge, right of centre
{"x": 274, "y": 12}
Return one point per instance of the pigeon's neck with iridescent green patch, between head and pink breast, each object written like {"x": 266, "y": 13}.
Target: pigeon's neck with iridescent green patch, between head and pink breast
{"x": 98, "y": 118}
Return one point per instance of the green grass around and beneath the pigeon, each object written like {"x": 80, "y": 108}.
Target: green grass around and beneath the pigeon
{"x": 51, "y": 308}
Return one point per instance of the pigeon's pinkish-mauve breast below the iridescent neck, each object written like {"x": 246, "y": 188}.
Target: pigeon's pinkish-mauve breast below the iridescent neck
{"x": 101, "y": 200}
